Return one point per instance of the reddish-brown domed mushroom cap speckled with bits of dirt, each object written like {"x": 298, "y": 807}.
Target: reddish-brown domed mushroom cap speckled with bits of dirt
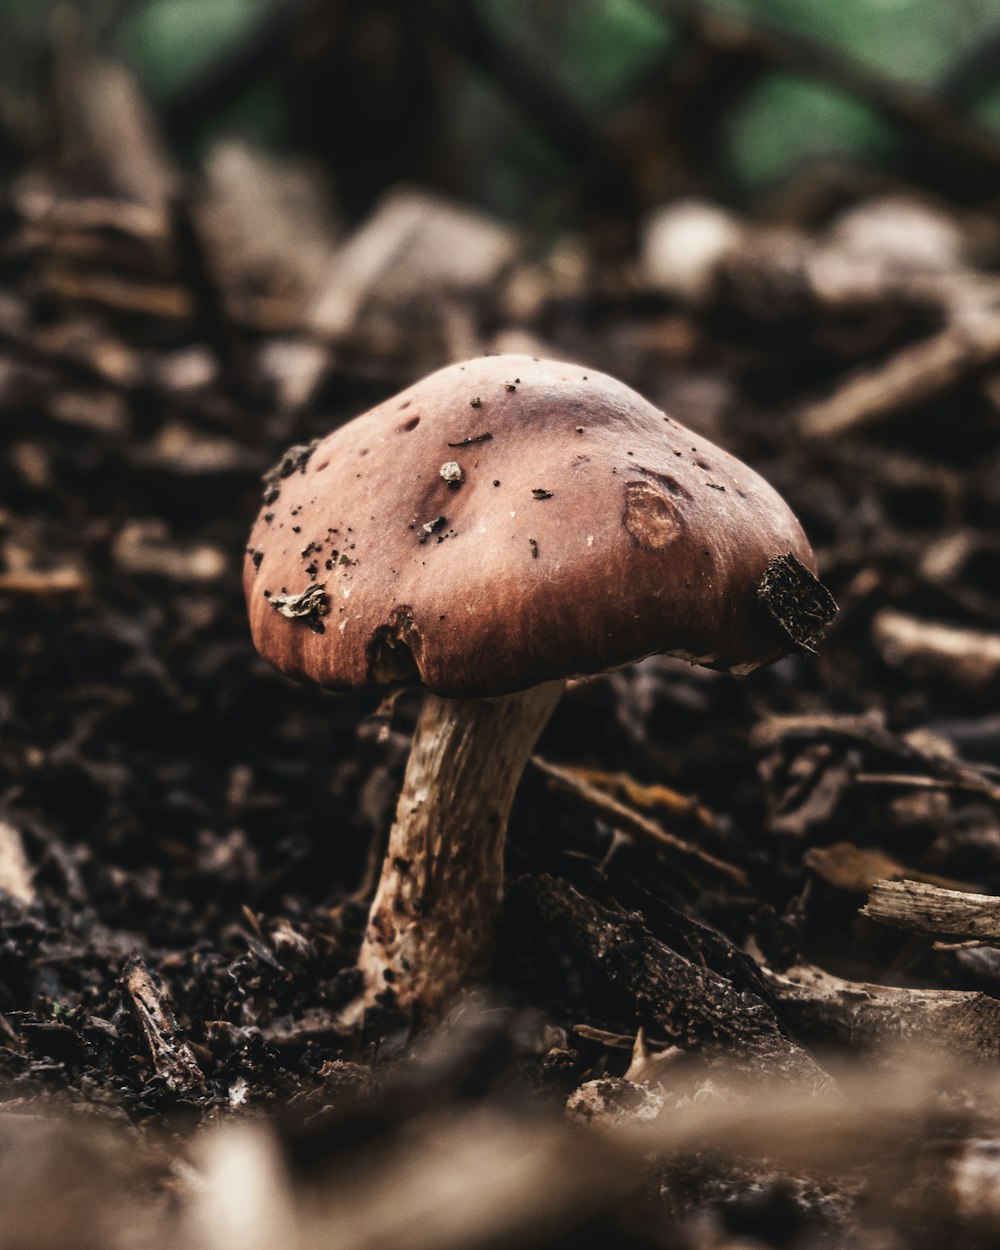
{"x": 583, "y": 531}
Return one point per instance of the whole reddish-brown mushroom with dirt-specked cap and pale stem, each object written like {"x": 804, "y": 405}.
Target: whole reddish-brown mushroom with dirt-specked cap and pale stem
{"x": 588, "y": 531}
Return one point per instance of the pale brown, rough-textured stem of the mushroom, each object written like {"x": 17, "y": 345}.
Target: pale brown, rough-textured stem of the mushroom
{"x": 432, "y": 923}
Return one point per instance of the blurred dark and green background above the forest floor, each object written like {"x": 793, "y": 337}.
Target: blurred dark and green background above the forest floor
{"x": 502, "y": 102}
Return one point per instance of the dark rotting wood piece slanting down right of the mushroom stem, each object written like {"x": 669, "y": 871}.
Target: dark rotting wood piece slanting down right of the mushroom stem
{"x": 661, "y": 991}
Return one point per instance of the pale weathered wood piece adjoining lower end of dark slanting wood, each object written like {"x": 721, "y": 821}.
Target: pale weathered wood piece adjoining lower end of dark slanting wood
{"x": 817, "y": 1004}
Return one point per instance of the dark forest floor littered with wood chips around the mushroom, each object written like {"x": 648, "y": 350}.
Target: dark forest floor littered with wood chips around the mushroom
{"x": 186, "y": 834}
